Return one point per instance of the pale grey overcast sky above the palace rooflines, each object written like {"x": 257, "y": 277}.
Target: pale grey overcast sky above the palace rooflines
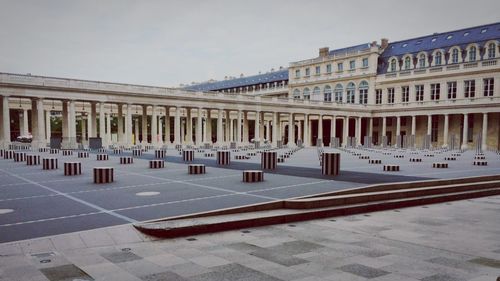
{"x": 166, "y": 43}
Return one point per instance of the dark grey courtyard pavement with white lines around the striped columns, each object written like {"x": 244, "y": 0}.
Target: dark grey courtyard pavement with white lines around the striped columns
{"x": 36, "y": 203}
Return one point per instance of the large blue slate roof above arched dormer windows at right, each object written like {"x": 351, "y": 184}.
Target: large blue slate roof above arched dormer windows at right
{"x": 444, "y": 40}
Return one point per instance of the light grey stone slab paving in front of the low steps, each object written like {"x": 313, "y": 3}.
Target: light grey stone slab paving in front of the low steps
{"x": 451, "y": 241}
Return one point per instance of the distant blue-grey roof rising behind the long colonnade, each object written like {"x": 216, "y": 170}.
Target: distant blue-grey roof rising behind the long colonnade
{"x": 275, "y": 76}
